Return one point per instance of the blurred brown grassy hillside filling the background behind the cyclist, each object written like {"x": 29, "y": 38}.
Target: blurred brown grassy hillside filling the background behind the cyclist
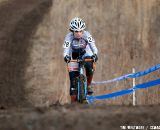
{"x": 32, "y": 71}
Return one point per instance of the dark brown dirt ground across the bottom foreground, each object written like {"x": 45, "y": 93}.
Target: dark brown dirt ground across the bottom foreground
{"x": 79, "y": 117}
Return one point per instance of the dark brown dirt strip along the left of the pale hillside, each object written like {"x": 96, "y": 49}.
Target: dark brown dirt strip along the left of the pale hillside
{"x": 18, "y": 21}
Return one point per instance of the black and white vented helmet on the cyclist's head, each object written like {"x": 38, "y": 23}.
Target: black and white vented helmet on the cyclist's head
{"x": 77, "y": 24}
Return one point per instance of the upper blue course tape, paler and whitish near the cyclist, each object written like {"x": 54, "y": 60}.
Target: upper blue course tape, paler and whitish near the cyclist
{"x": 131, "y": 75}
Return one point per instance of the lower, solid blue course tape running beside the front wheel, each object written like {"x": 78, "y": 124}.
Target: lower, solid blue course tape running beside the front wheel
{"x": 152, "y": 83}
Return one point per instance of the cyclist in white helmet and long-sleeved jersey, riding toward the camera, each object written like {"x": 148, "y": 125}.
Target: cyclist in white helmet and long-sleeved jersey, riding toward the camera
{"x": 79, "y": 42}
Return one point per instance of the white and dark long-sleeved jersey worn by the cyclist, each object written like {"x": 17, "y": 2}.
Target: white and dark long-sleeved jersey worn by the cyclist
{"x": 85, "y": 44}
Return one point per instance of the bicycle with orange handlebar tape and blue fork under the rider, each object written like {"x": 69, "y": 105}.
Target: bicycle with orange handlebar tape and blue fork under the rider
{"x": 80, "y": 81}
